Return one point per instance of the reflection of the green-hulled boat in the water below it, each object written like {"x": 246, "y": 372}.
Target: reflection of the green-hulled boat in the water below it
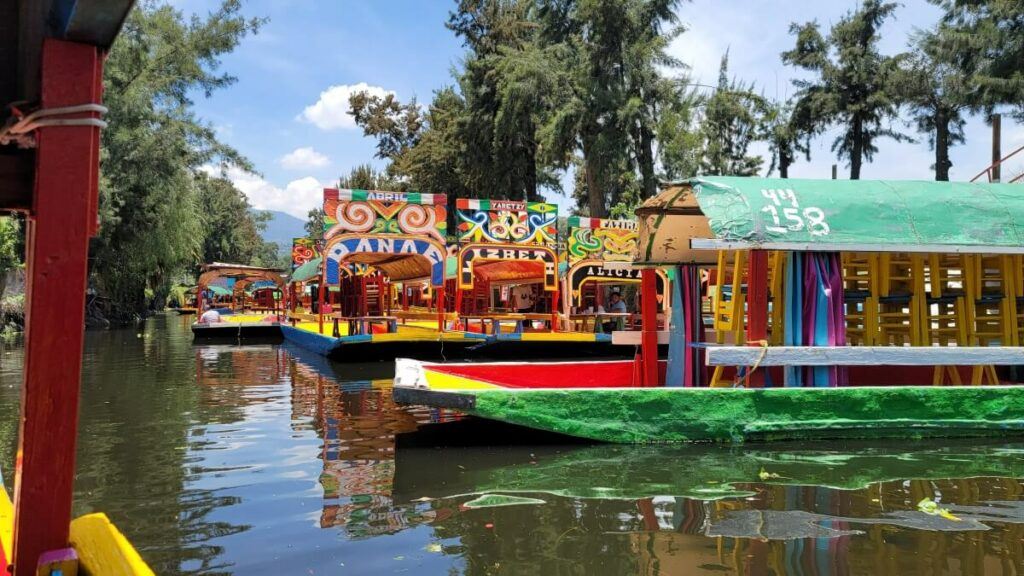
{"x": 617, "y": 510}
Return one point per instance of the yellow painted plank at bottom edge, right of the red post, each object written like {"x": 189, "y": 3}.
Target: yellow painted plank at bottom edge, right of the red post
{"x": 104, "y": 551}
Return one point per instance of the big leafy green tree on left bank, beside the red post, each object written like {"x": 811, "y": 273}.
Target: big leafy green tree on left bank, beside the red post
{"x": 154, "y": 196}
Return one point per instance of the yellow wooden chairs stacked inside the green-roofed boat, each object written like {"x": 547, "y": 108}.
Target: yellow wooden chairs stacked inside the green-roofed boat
{"x": 897, "y": 300}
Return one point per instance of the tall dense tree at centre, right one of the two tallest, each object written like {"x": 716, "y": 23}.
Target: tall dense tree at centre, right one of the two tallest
{"x": 614, "y": 52}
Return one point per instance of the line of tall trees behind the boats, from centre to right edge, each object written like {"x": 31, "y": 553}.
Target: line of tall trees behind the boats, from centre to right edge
{"x": 549, "y": 88}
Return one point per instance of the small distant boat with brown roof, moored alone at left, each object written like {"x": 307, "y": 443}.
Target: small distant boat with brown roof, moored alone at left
{"x": 251, "y": 302}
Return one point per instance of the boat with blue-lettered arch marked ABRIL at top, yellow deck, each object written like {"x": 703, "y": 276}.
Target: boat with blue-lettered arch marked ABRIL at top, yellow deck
{"x": 375, "y": 242}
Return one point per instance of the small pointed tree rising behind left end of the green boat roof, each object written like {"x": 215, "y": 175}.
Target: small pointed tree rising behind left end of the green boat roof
{"x": 732, "y": 124}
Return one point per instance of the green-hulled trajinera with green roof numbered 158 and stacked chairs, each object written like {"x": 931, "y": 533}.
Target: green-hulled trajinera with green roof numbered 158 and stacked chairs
{"x": 801, "y": 309}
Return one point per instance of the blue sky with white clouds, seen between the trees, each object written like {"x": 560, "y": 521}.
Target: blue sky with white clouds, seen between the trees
{"x": 287, "y": 111}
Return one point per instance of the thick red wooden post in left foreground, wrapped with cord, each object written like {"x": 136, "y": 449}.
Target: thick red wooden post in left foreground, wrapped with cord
{"x": 58, "y": 242}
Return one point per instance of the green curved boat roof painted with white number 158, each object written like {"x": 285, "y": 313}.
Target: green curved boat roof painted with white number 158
{"x": 849, "y": 216}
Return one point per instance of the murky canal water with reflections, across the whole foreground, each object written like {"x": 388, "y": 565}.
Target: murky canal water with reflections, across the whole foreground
{"x": 267, "y": 460}
